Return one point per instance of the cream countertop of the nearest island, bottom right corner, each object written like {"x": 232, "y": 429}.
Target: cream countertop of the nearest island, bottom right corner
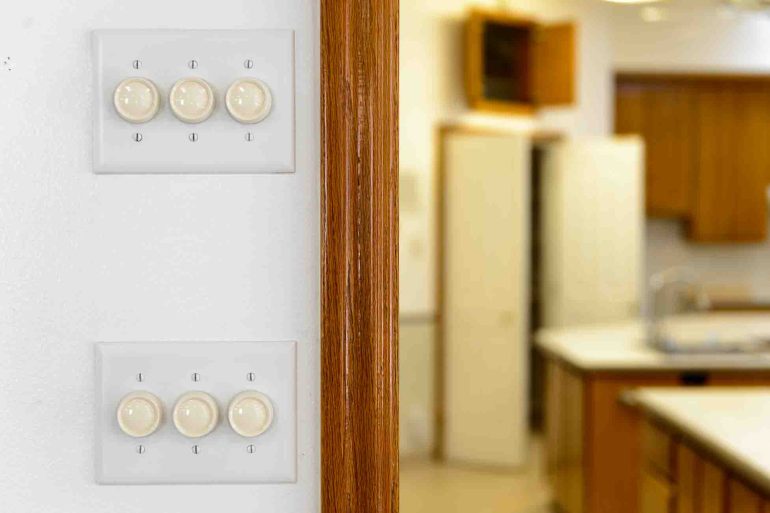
{"x": 729, "y": 424}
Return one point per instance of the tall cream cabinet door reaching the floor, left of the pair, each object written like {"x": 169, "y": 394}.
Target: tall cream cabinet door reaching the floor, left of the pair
{"x": 484, "y": 295}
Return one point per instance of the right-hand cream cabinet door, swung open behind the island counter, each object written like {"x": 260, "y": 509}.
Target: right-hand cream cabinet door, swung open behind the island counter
{"x": 592, "y": 230}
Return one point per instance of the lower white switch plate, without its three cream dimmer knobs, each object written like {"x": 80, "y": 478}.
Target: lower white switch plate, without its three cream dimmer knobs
{"x": 223, "y": 369}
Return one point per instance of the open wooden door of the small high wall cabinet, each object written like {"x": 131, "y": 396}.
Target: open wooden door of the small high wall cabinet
{"x": 553, "y": 73}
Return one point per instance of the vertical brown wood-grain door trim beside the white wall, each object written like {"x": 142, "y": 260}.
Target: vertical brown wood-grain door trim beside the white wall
{"x": 359, "y": 256}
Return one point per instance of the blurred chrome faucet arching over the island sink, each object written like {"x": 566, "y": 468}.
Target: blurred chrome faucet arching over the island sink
{"x": 687, "y": 294}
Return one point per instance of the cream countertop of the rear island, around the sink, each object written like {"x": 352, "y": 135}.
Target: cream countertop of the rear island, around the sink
{"x": 622, "y": 347}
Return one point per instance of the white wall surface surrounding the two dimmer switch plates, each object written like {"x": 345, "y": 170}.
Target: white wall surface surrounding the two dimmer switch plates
{"x": 87, "y": 258}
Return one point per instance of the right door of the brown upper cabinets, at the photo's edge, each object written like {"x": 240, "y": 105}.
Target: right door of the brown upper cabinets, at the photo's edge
{"x": 733, "y": 156}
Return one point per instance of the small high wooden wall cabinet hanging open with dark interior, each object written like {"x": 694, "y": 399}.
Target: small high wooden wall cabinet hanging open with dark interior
{"x": 515, "y": 64}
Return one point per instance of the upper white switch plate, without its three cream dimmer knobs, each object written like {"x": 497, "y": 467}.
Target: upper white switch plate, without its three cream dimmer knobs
{"x": 221, "y": 145}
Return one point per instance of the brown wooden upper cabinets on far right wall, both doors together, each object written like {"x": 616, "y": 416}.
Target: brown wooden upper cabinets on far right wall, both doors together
{"x": 707, "y": 156}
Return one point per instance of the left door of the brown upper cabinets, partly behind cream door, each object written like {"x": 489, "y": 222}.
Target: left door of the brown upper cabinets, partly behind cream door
{"x": 663, "y": 114}
